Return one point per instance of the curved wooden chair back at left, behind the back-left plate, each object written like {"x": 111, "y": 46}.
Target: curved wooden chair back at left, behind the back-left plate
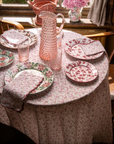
{"x": 6, "y": 25}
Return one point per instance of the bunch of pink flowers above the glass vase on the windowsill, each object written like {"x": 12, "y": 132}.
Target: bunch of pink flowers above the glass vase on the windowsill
{"x": 70, "y": 4}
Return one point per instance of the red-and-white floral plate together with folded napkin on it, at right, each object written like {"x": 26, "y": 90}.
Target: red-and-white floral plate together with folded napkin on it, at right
{"x": 84, "y": 48}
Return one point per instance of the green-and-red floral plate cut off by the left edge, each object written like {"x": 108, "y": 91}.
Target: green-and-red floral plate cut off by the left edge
{"x": 6, "y": 58}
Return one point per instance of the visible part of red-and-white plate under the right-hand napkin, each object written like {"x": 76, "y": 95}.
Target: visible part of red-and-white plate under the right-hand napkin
{"x": 76, "y": 51}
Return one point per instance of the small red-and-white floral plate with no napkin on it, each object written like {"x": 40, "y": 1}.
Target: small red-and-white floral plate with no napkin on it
{"x": 81, "y": 71}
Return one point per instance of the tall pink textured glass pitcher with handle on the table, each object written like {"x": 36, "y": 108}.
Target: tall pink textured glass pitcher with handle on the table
{"x": 48, "y": 43}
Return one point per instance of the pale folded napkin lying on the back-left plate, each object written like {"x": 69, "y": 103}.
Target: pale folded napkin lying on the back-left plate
{"x": 14, "y": 37}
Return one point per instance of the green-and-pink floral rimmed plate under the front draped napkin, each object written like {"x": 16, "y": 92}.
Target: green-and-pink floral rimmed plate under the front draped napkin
{"x": 34, "y": 68}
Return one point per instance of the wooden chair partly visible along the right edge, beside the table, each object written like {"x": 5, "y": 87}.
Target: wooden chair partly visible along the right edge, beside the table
{"x": 111, "y": 66}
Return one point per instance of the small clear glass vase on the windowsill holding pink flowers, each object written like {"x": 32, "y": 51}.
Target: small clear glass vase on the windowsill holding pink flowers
{"x": 75, "y": 14}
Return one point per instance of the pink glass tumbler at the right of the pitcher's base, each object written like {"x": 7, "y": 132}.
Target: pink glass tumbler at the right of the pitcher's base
{"x": 55, "y": 63}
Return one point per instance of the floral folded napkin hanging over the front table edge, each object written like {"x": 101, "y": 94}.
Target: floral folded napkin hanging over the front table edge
{"x": 16, "y": 91}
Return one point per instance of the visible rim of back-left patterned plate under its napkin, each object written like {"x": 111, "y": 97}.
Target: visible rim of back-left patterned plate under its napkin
{"x": 31, "y": 35}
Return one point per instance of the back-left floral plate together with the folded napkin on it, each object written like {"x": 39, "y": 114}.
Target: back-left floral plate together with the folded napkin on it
{"x": 12, "y": 37}
